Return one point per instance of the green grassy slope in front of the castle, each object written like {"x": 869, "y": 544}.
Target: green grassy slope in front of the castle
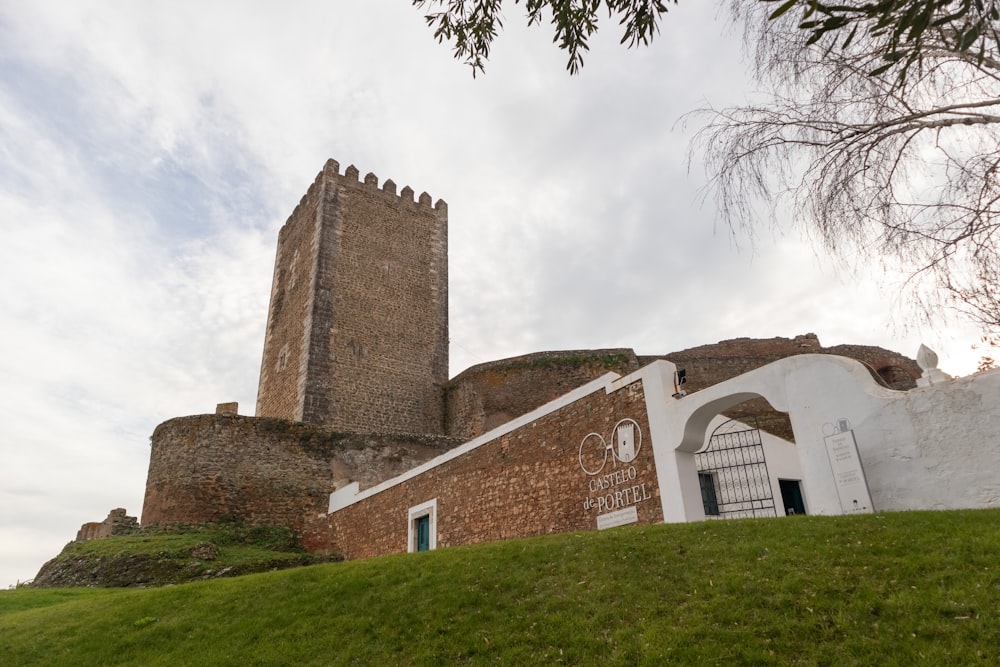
{"x": 892, "y": 589}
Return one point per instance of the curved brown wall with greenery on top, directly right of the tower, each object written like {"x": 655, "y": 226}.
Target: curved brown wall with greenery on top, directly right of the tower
{"x": 491, "y": 394}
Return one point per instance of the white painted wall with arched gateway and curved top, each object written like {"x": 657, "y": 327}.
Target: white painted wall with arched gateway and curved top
{"x": 934, "y": 447}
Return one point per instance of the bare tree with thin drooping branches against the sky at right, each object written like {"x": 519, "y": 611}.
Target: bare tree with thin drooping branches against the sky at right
{"x": 901, "y": 171}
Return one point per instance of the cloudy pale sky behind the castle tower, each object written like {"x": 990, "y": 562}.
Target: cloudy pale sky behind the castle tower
{"x": 151, "y": 151}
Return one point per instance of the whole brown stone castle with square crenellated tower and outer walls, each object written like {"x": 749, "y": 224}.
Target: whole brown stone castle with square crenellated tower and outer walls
{"x": 364, "y": 446}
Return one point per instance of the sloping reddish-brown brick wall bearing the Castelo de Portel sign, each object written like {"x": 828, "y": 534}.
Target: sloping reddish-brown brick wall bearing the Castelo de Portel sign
{"x": 527, "y": 482}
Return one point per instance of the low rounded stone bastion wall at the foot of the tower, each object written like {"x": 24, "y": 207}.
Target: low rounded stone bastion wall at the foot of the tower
{"x": 266, "y": 471}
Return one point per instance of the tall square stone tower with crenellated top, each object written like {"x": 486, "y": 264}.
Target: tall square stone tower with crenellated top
{"x": 357, "y": 328}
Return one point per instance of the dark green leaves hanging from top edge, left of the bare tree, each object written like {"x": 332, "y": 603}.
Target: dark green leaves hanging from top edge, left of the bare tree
{"x": 472, "y": 25}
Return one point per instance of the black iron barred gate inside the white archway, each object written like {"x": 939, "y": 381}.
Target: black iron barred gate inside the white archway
{"x": 733, "y": 473}
